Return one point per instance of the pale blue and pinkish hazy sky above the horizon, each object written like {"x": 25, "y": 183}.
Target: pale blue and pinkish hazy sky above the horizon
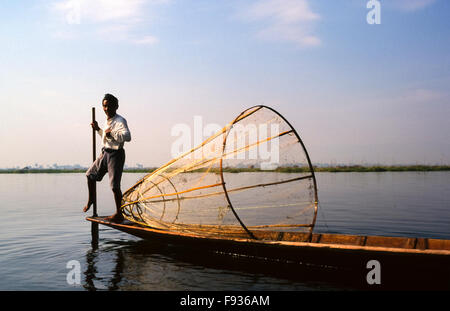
{"x": 355, "y": 92}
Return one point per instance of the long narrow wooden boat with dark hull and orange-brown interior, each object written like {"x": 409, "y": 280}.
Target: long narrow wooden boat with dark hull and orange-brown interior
{"x": 402, "y": 259}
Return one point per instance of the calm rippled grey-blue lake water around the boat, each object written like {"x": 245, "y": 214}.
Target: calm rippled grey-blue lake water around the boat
{"x": 42, "y": 229}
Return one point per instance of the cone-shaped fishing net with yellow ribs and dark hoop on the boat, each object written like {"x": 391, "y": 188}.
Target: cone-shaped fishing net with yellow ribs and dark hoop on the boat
{"x": 253, "y": 175}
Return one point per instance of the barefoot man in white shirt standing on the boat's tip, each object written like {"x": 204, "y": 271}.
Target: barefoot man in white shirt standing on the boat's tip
{"x": 112, "y": 158}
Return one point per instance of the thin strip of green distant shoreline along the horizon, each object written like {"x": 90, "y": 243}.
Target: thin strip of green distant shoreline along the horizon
{"x": 331, "y": 169}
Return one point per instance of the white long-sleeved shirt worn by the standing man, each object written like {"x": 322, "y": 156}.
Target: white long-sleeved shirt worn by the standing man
{"x": 119, "y": 133}
